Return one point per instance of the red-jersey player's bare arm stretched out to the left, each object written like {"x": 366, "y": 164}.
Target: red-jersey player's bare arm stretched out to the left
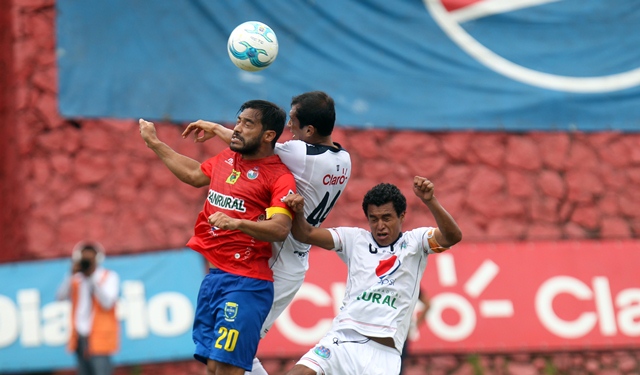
{"x": 186, "y": 169}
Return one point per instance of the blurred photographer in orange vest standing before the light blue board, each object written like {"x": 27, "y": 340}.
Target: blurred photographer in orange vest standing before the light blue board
{"x": 93, "y": 291}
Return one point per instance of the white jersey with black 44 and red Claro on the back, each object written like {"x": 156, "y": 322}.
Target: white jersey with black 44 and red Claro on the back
{"x": 321, "y": 174}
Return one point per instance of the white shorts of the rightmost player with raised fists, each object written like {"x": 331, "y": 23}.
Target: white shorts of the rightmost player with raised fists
{"x": 348, "y": 352}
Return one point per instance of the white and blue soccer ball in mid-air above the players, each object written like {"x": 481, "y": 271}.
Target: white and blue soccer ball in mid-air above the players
{"x": 252, "y": 46}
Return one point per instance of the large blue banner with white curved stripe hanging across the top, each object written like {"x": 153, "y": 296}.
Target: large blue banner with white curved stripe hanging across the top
{"x": 514, "y": 65}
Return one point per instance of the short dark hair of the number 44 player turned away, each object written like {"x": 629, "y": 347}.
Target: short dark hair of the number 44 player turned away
{"x": 316, "y": 108}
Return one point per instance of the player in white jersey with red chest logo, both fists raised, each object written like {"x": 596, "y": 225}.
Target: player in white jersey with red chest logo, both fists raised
{"x": 385, "y": 267}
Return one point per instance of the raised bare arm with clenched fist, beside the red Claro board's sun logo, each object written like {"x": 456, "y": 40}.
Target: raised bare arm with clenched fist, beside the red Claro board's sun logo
{"x": 448, "y": 233}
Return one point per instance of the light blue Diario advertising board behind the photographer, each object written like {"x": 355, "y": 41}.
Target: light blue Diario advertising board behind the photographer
{"x": 156, "y": 309}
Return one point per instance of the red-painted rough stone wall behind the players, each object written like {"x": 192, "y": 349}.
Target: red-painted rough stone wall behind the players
{"x": 95, "y": 179}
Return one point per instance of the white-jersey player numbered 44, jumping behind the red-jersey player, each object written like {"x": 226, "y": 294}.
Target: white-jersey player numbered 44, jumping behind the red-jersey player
{"x": 321, "y": 168}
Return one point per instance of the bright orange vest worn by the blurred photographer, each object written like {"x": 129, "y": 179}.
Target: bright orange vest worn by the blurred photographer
{"x": 103, "y": 339}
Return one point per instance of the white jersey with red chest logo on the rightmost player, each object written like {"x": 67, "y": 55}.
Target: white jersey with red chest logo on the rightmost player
{"x": 383, "y": 282}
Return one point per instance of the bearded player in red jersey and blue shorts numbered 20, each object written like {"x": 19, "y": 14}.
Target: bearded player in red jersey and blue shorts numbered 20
{"x": 242, "y": 214}
